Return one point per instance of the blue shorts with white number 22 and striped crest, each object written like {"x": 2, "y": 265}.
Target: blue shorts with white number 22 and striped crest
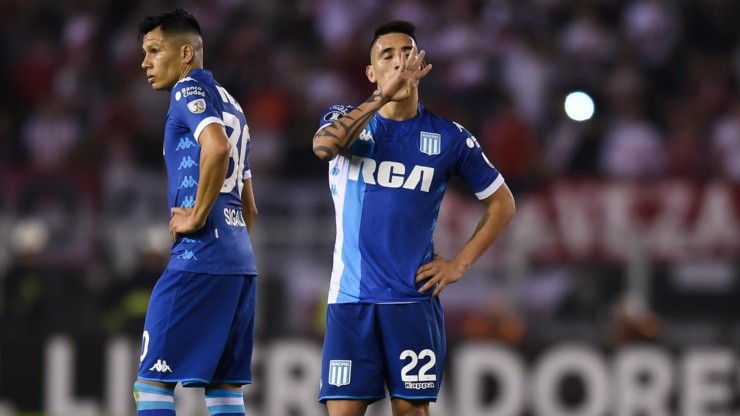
{"x": 368, "y": 347}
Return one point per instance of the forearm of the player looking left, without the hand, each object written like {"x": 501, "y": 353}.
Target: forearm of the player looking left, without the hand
{"x": 214, "y": 163}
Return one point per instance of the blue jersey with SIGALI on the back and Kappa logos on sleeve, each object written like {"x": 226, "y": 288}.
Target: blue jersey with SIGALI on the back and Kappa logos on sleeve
{"x": 222, "y": 246}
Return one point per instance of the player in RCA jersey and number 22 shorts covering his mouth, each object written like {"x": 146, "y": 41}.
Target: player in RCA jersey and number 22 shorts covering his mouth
{"x": 389, "y": 162}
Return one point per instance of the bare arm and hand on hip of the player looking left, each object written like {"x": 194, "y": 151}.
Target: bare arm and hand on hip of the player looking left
{"x": 214, "y": 162}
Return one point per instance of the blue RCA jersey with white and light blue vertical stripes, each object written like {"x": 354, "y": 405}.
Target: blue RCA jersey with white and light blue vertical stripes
{"x": 387, "y": 191}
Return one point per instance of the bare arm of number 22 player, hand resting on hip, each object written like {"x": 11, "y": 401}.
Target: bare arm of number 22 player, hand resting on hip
{"x": 500, "y": 209}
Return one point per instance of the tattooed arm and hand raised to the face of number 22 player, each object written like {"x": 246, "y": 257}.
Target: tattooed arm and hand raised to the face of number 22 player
{"x": 338, "y": 136}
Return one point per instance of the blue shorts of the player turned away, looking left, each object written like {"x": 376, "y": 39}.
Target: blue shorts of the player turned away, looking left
{"x": 199, "y": 329}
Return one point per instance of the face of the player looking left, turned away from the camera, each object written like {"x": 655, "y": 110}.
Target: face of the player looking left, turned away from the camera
{"x": 162, "y": 60}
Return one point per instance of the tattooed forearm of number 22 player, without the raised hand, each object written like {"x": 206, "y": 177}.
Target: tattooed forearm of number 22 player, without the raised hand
{"x": 333, "y": 139}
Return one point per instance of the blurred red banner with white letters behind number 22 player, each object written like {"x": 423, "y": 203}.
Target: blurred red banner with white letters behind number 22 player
{"x": 580, "y": 220}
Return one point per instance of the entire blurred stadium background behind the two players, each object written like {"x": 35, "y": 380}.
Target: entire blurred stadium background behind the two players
{"x": 614, "y": 292}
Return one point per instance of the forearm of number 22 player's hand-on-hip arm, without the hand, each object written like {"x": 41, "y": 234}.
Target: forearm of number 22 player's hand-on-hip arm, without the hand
{"x": 499, "y": 212}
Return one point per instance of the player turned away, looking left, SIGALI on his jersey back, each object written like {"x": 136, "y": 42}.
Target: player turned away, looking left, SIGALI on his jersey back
{"x": 199, "y": 327}
